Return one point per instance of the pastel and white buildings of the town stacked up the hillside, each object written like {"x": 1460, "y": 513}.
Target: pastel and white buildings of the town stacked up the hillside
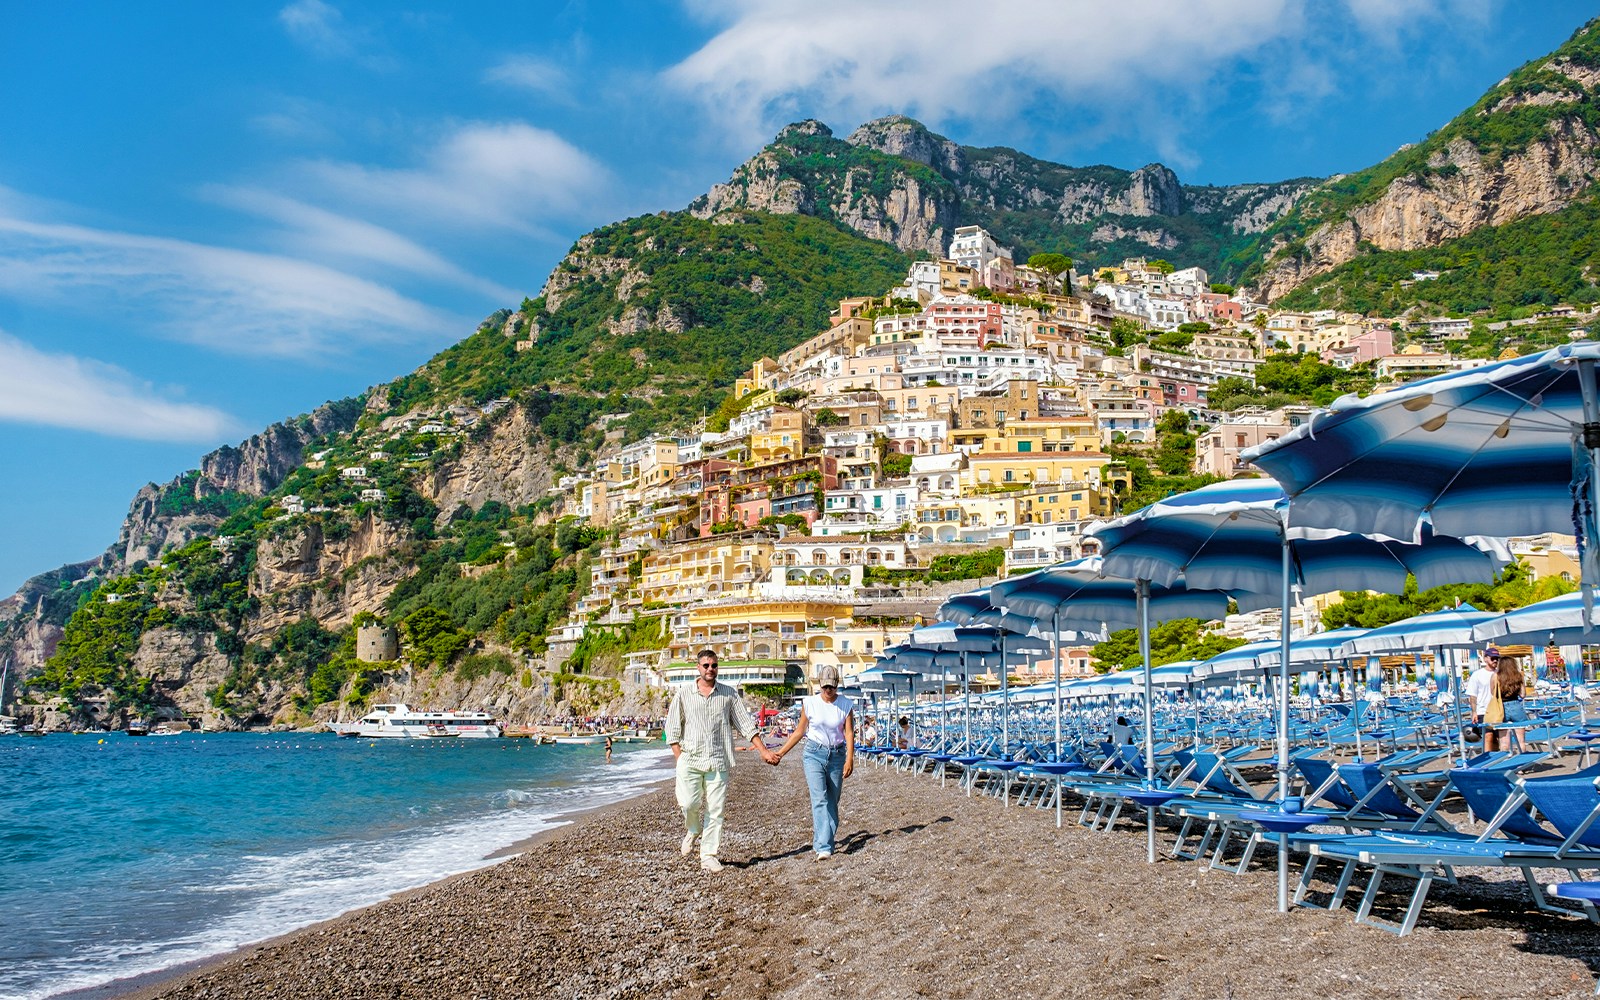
{"x": 970, "y": 414}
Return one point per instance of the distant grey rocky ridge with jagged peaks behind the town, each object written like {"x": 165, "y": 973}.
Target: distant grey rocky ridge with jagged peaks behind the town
{"x": 894, "y": 180}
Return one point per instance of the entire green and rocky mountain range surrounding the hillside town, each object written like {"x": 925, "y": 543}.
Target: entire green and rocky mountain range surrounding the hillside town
{"x": 234, "y": 591}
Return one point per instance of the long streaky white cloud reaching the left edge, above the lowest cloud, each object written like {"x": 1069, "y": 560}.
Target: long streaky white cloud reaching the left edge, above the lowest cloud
{"x": 228, "y": 300}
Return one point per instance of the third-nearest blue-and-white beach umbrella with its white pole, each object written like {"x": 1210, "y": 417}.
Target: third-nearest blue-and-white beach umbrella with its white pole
{"x": 1082, "y": 596}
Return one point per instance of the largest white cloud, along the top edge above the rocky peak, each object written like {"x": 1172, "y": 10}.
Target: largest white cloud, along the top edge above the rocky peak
{"x": 1146, "y": 65}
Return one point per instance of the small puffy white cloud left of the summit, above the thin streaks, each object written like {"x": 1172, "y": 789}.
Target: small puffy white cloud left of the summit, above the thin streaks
{"x": 482, "y": 175}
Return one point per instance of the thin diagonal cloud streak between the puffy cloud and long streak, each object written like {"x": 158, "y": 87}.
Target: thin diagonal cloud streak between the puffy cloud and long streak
{"x": 319, "y": 233}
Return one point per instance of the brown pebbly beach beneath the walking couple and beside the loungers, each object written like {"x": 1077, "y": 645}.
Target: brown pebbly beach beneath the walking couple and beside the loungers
{"x": 932, "y": 895}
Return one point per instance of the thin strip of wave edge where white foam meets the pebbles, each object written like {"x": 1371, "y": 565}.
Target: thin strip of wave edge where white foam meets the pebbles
{"x": 146, "y": 986}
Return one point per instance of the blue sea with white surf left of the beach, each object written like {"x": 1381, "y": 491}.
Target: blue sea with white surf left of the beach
{"x": 127, "y": 855}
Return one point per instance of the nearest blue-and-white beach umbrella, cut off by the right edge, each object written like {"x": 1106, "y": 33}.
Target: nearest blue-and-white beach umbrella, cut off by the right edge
{"x": 1508, "y": 449}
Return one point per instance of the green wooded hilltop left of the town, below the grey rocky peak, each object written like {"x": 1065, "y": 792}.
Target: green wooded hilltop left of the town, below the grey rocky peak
{"x": 742, "y": 289}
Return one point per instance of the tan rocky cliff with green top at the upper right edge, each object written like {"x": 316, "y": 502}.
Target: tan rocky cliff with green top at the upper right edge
{"x": 1527, "y": 148}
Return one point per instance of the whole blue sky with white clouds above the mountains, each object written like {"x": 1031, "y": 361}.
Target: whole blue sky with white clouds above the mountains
{"x": 215, "y": 217}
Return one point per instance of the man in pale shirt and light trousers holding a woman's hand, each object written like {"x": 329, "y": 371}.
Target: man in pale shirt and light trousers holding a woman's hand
{"x": 700, "y": 730}
